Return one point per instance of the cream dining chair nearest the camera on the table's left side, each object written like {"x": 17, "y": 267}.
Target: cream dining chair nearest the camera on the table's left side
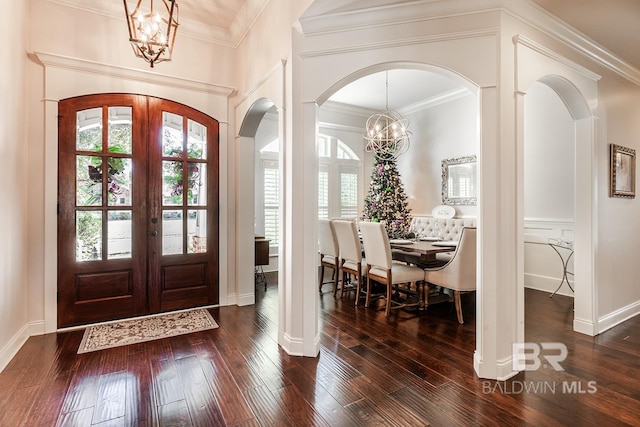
{"x": 382, "y": 269}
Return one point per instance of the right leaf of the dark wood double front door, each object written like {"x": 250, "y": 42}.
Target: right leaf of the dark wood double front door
{"x": 183, "y": 202}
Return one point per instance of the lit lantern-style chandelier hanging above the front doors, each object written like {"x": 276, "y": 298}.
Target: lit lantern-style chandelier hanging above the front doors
{"x": 152, "y": 31}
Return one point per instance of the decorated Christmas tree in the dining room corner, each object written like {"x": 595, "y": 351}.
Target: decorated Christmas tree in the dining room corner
{"x": 386, "y": 200}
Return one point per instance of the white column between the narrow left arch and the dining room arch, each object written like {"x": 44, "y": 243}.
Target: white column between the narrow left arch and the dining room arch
{"x": 299, "y": 292}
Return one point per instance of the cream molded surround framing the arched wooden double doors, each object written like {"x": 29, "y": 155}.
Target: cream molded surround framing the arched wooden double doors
{"x": 65, "y": 77}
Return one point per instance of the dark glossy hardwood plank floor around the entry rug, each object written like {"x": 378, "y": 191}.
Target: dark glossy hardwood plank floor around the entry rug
{"x": 408, "y": 370}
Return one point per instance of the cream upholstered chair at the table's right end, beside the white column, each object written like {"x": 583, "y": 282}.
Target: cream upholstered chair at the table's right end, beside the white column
{"x": 459, "y": 274}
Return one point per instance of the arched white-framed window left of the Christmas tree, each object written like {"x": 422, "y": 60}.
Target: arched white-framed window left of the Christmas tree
{"x": 338, "y": 179}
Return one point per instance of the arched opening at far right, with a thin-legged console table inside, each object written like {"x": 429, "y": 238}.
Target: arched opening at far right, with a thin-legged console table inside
{"x": 558, "y": 213}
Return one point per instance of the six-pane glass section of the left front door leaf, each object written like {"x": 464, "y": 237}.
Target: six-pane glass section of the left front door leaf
{"x": 104, "y": 165}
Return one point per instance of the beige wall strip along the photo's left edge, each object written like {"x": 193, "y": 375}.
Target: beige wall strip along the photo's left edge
{"x": 14, "y": 190}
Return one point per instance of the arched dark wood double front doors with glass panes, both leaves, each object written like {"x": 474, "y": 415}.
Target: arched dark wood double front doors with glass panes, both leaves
{"x": 138, "y": 208}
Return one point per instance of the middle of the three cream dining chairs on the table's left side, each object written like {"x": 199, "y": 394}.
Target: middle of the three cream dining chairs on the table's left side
{"x": 351, "y": 260}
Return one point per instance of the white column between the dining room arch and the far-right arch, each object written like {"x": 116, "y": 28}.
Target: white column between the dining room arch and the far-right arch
{"x": 496, "y": 314}
